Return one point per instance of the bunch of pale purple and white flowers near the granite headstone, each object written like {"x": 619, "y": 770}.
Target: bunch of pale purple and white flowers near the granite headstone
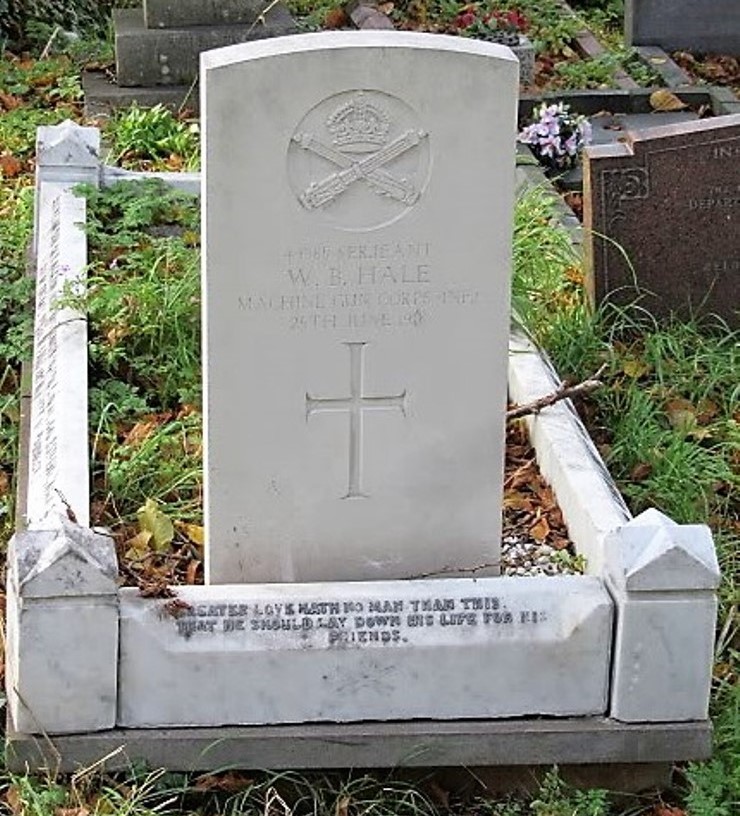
{"x": 556, "y": 135}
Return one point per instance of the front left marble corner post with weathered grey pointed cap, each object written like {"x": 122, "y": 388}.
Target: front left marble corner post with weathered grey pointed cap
{"x": 62, "y": 631}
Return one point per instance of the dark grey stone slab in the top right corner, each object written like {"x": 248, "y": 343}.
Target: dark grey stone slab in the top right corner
{"x": 708, "y": 26}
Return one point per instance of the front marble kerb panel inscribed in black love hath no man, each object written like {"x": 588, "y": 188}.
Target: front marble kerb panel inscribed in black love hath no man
{"x": 438, "y": 649}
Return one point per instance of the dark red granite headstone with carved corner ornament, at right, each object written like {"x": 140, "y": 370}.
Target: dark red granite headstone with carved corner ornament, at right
{"x": 669, "y": 199}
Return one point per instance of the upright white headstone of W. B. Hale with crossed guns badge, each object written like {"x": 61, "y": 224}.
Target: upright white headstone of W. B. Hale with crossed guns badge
{"x": 357, "y": 211}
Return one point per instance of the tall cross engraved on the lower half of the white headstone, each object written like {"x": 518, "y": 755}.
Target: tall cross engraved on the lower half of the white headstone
{"x": 355, "y": 404}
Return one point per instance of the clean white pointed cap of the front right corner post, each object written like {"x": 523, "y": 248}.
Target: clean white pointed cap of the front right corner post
{"x": 652, "y": 553}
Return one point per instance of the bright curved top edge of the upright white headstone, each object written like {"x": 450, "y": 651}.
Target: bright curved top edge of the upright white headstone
{"x": 332, "y": 40}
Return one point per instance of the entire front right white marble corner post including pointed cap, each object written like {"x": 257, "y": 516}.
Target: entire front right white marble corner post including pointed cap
{"x": 663, "y": 577}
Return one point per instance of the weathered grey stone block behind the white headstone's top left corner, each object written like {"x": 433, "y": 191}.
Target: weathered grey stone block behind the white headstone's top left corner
{"x": 151, "y": 57}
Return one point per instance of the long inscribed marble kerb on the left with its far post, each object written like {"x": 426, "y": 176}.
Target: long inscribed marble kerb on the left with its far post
{"x": 58, "y": 477}
